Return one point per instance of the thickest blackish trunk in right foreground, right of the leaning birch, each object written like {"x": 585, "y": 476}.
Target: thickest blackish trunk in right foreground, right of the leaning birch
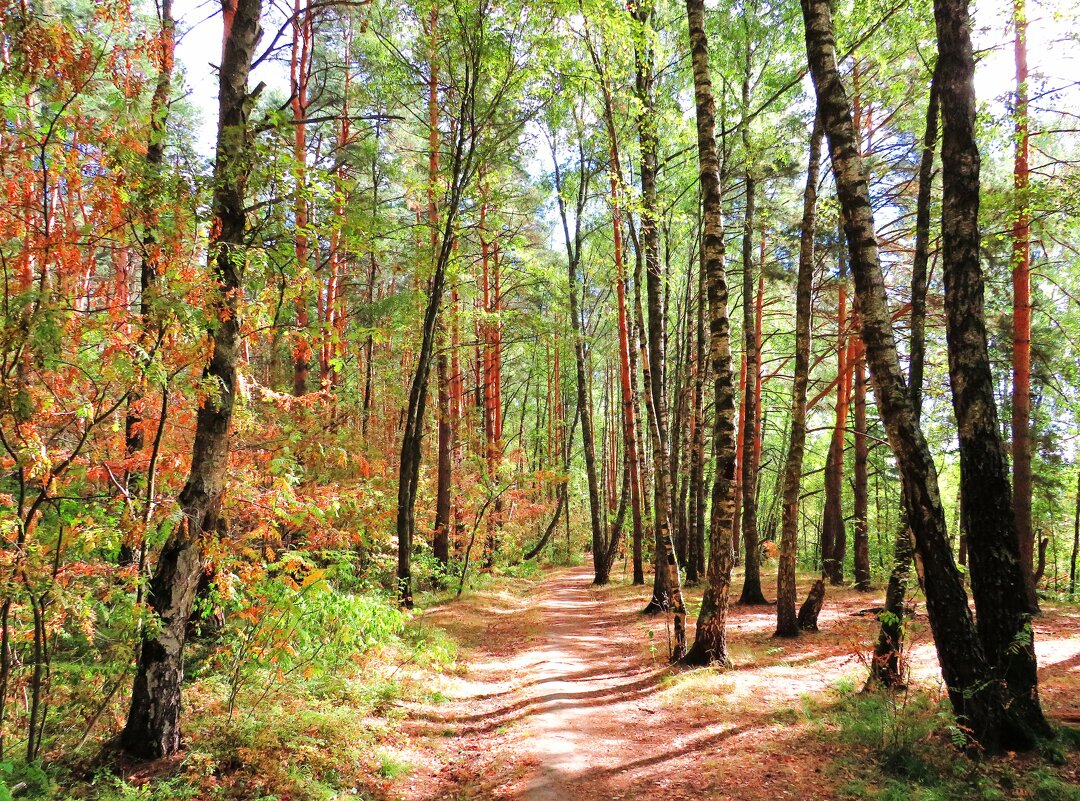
{"x": 997, "y": 574}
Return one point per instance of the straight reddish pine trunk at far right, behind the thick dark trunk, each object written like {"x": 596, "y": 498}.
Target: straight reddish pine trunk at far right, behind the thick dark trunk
{"x": 1022, "y": 317}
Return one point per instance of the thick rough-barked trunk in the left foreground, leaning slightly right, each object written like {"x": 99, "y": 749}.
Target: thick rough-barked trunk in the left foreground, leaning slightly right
{"x": 153, "y": 729}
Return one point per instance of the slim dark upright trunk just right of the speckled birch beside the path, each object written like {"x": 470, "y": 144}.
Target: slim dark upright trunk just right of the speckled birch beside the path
{"x": 752, "y": 562}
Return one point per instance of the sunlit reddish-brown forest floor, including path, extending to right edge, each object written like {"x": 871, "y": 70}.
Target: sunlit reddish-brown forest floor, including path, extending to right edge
{"x": 564, "y": 694}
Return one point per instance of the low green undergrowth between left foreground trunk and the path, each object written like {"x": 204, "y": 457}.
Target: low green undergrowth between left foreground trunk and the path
{"x": 296, "y": 698}
